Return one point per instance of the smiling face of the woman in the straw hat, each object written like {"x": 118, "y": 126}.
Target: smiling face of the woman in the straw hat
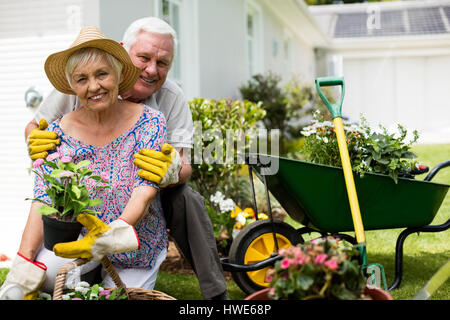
{"x": 96, "y": 85}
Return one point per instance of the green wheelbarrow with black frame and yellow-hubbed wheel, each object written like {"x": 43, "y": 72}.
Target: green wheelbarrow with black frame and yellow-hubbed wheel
{"x": 312, "y": 195}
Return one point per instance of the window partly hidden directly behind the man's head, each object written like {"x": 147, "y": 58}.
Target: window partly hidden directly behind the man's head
{"x": 169, "y": 10}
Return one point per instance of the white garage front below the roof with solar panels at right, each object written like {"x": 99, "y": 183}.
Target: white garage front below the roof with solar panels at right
{"x": 400, "y": 86}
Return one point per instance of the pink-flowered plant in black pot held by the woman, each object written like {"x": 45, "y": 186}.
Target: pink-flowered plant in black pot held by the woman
{"x": 65, "y": 183}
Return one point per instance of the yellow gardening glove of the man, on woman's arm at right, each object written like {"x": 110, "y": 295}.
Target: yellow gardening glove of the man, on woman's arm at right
{"x": 161, "y": 167}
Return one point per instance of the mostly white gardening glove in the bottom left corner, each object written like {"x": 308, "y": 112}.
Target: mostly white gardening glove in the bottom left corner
{"x": 24, "y": 279}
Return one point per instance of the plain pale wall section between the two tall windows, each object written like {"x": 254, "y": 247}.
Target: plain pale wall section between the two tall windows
{"x": 222, "y": 56}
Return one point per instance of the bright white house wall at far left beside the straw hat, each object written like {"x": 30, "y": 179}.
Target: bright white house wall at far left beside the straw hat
{"x": 29, "y": 32}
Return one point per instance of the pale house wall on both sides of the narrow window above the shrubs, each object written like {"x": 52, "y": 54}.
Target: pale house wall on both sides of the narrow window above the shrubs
{"x": 223, "y": 52}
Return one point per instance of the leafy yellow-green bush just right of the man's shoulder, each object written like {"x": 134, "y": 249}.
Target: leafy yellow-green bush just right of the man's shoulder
{"x": 222, "y": 137}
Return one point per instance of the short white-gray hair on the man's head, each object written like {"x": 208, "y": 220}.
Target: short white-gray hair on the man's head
{"x": 149, "y": 24}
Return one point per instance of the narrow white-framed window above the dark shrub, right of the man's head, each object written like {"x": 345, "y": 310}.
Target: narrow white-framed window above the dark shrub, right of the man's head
{"x": 254, "y": 48}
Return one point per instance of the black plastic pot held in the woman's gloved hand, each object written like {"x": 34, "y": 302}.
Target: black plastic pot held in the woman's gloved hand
{"x": 57, "y": 231}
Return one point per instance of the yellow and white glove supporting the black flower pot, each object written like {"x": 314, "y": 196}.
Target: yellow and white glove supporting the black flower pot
{"x": 102, "y": 239}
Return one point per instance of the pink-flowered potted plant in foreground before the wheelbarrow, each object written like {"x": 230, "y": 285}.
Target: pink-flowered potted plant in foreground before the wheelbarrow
{"x": 321, "y": 269}
